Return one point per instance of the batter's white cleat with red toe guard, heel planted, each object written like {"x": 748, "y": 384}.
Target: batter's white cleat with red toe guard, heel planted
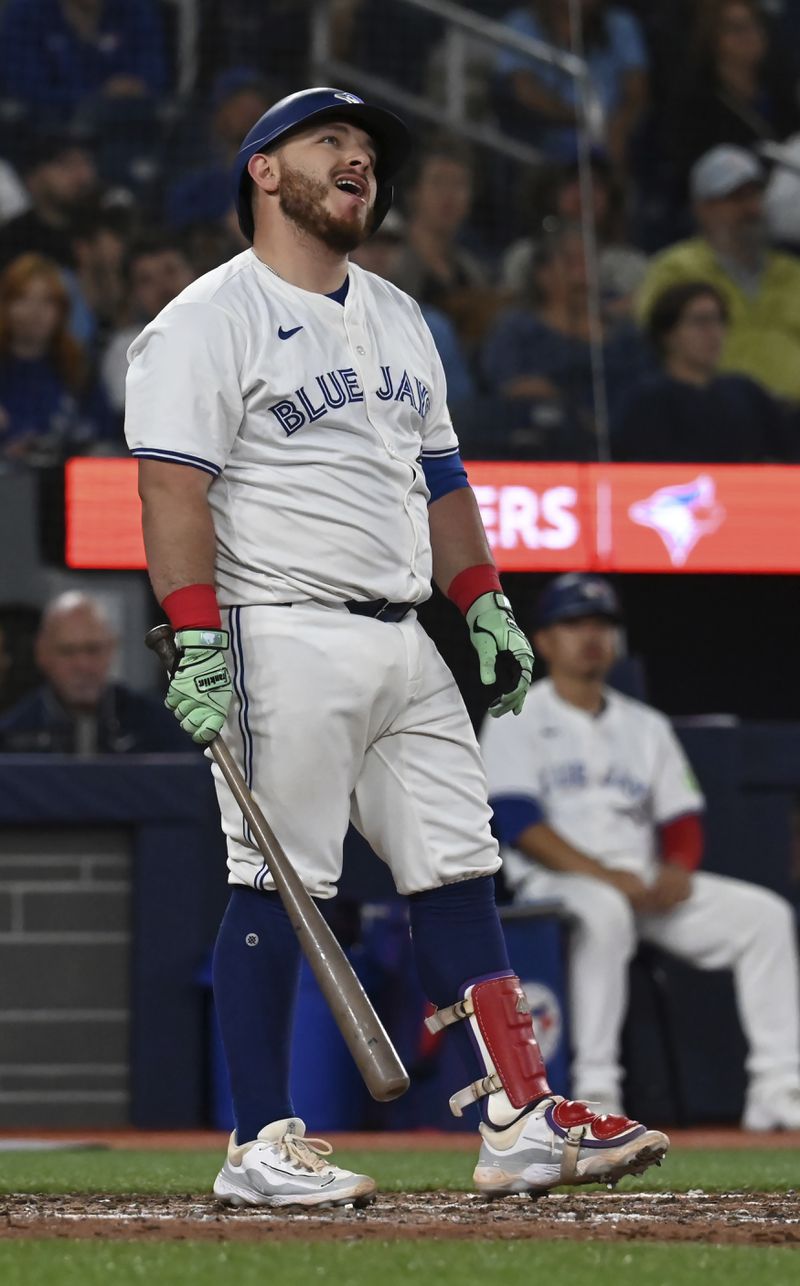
{"x": 561, "y": 1141}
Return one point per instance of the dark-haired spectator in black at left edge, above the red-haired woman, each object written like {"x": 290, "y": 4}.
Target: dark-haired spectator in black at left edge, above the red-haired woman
{"x": 61, "y": 179}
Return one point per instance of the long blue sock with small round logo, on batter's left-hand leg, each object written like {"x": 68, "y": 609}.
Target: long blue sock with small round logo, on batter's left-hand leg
{"x": 257, "y": 966}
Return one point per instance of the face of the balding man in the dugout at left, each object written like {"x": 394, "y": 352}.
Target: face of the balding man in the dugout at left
{"x": 75, "y": 653}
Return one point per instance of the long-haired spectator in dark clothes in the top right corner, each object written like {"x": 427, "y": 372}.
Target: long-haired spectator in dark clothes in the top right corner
{"x": 739, "y": 89}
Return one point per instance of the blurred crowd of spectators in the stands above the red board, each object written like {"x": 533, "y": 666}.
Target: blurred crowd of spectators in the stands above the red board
{"x": 115, "y": 195}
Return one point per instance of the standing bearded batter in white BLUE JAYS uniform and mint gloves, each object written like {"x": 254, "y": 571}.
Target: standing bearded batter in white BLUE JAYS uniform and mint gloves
{"x": 302, "y": 487}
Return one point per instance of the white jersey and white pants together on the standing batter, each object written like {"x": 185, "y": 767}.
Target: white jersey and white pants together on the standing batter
{"x": 313, "y": 420}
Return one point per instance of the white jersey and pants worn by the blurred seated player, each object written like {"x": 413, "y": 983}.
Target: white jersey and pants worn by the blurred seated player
{"x": 605, "y": 784}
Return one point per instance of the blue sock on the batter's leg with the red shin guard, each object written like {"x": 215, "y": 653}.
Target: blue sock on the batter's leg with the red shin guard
{"x": 457, "y": 937}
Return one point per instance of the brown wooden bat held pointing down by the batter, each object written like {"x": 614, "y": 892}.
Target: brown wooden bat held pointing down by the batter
{"x": 365, "y": 1035}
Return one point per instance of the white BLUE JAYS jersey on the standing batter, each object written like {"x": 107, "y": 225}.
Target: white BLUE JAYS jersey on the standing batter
{"x": 313, "y": 420}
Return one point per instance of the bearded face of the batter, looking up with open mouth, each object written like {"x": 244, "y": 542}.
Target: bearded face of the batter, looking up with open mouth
{"x": 329, "y": 186}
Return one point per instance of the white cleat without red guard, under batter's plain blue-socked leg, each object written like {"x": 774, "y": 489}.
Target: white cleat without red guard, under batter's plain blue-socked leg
{"x": 282, "y": 1168}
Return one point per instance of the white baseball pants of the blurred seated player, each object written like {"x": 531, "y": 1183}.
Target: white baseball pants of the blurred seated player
{"x": 725, "y": 924}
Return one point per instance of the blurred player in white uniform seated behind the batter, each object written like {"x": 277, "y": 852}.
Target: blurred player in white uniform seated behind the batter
{"x": 597, "y": 807}
